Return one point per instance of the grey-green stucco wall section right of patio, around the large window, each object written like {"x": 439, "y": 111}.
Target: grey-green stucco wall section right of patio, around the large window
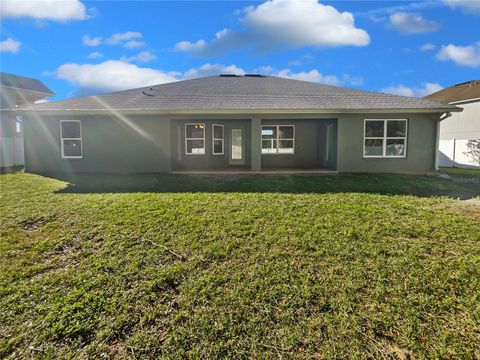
{"x": 421, "y": 144}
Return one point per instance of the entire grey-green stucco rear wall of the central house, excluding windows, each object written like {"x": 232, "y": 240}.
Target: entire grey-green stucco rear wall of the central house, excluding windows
{"x": 146, "y": 143}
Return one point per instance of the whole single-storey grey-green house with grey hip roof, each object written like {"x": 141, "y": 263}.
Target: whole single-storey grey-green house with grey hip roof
{"x": 234, "y": 123}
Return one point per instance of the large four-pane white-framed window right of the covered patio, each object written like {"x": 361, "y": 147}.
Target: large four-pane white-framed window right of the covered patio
{"x": 385, "y": 138}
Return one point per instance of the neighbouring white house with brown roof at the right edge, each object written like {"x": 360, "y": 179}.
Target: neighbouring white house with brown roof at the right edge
{"x": 460, "y": 133}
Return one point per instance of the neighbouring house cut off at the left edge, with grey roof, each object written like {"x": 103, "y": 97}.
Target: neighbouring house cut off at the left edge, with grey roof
{"x": 16, "y": 91}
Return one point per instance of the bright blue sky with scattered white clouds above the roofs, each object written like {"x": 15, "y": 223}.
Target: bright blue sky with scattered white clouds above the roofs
{"x": 86, "y": 47}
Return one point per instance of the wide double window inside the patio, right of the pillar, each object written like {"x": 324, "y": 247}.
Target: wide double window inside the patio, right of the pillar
{"x": 278, "y": 139}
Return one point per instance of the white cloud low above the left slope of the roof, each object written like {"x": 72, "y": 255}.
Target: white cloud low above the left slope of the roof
{"x": 112, "y": 75}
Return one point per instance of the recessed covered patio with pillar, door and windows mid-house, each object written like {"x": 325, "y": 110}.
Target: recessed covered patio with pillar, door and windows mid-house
{"x": 253, "y": 145}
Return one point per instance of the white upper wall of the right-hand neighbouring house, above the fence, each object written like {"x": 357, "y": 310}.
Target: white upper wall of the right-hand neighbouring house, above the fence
{"x": 464, "y": 125}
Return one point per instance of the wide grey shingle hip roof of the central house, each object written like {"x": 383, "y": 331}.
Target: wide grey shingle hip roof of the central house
{"x": 242, "y": 93}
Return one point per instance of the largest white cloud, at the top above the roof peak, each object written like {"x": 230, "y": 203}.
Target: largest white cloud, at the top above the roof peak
{"x": 286, "y": 23}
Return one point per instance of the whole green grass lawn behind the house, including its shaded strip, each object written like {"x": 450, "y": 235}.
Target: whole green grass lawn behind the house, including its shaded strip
{"x": 347, "y": 266}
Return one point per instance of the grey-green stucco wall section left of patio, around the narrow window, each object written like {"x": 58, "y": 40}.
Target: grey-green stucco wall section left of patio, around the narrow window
{"x": 111, "y": 144}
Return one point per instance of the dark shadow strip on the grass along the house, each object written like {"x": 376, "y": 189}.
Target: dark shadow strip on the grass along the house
{"x": 392, "y": 184}
